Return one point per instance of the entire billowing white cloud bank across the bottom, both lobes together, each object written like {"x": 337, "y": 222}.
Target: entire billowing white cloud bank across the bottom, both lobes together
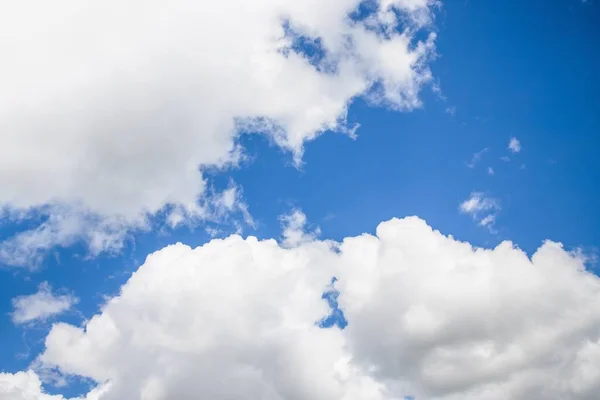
{"x": 428, "y": 316}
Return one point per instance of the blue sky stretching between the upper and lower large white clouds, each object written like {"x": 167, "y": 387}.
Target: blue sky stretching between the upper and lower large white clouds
{"x": 517, "y": 69}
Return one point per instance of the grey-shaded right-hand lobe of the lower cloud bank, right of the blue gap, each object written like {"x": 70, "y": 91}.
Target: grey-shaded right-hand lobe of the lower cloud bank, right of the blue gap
{"x": 459, "y": 323}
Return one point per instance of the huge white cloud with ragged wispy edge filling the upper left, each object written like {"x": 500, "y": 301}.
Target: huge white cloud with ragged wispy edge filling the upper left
{"x": 113, "y": 109}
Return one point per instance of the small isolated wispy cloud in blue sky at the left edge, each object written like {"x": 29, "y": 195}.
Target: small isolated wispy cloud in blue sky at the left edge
{"x": 41, "y": 305}
